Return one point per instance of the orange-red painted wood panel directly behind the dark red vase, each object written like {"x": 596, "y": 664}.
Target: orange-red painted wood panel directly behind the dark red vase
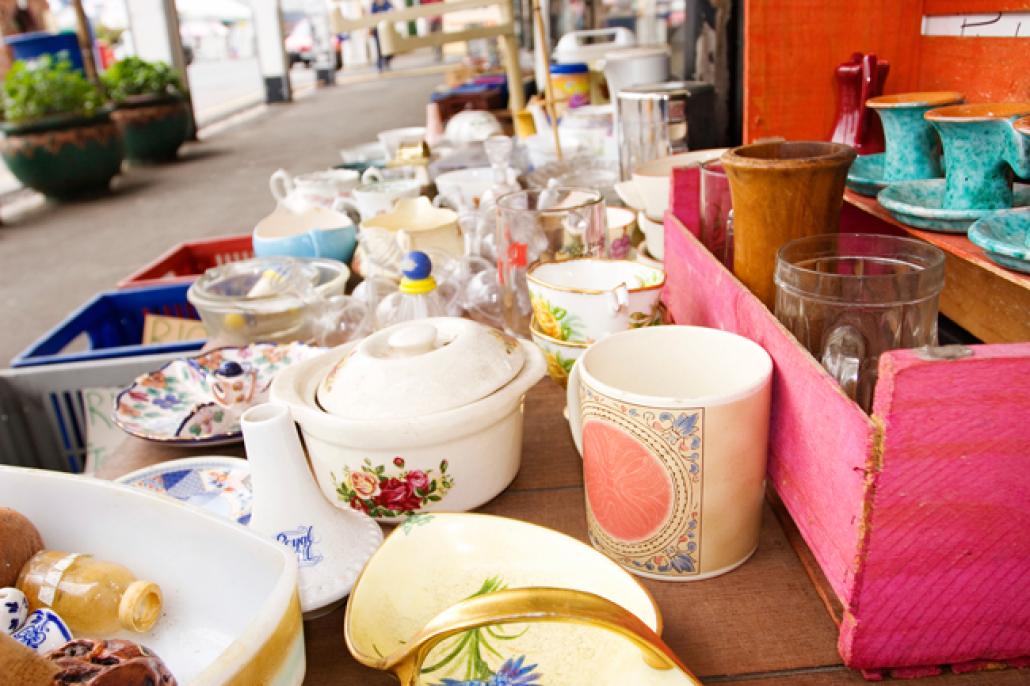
{"x": 793, "y": 48}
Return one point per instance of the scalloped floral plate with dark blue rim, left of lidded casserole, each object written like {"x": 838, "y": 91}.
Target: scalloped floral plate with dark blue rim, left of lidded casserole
{"x": 198, "y": 401}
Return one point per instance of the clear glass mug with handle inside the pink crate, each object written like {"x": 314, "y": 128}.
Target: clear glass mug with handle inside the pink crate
{"x": 850, "y": 297}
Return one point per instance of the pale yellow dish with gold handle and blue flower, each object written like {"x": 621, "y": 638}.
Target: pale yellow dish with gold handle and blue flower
{"x": 466, "y": 600}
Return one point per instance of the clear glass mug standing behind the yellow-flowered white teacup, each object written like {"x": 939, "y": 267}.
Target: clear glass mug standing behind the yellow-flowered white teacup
{"x": 545, "y": 225}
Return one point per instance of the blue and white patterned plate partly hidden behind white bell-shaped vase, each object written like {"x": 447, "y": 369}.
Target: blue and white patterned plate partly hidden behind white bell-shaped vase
{"x": 220, "y": 486}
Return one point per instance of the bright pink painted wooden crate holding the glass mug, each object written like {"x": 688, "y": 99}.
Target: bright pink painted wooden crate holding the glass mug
{"x": 919, "y": 516}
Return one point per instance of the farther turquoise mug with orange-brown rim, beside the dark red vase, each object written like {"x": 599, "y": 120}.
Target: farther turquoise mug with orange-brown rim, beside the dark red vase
{"x": 913, "y": 150}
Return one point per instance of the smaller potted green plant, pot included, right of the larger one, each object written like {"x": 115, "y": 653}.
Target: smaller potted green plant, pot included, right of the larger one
{"x": 152, "y": 113}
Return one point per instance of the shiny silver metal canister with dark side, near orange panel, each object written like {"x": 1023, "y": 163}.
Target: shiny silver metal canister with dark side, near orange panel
{"x": 658, "y": 120}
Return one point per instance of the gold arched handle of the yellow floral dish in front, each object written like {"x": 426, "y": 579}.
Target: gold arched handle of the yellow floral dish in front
{"x": 521, "y": 606}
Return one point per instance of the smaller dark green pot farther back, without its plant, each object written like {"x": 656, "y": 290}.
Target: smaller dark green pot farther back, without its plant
{"x": 153, "y": 129}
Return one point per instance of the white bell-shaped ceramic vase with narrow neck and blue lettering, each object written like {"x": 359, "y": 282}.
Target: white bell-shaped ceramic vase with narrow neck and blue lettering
{"x": 332, "y": 544}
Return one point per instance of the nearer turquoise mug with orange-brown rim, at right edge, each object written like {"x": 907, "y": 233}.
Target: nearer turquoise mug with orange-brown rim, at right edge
{"x": 983, "y": 151}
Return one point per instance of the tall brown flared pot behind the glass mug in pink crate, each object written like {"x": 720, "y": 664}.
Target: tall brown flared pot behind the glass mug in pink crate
{"x": 782, "y": 191}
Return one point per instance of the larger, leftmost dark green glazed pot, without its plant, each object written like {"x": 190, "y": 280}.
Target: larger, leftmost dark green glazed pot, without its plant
{"x": 64, "y": 157}
